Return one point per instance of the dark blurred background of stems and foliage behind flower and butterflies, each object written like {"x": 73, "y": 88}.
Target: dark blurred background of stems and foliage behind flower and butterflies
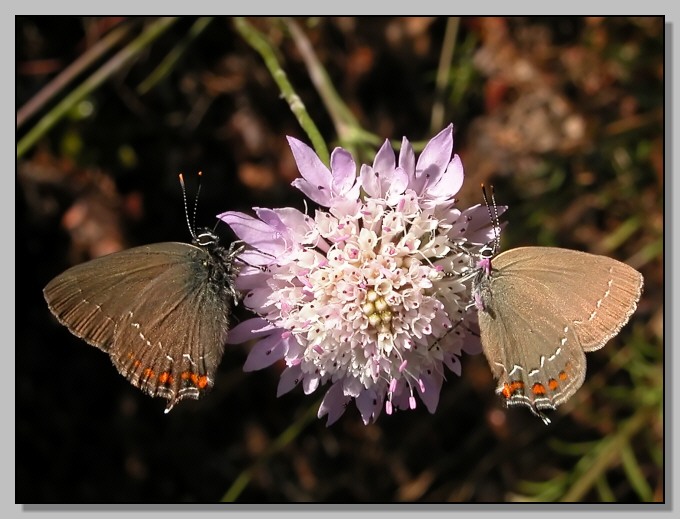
{"x": 564, "y": 116}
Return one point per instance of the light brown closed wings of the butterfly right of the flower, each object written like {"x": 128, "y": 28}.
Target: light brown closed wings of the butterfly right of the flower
{"x": 545, "y": 306}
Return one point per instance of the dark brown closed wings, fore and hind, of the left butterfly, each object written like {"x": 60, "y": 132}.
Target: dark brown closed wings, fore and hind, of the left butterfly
{"x": 158, "y": 310}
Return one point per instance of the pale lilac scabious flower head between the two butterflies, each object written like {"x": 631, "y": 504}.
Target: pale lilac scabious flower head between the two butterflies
{"x": 366, "y": 295}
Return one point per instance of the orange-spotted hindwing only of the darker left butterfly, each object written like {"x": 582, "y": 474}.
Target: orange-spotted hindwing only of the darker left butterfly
{"x": 174, "y": 353}
